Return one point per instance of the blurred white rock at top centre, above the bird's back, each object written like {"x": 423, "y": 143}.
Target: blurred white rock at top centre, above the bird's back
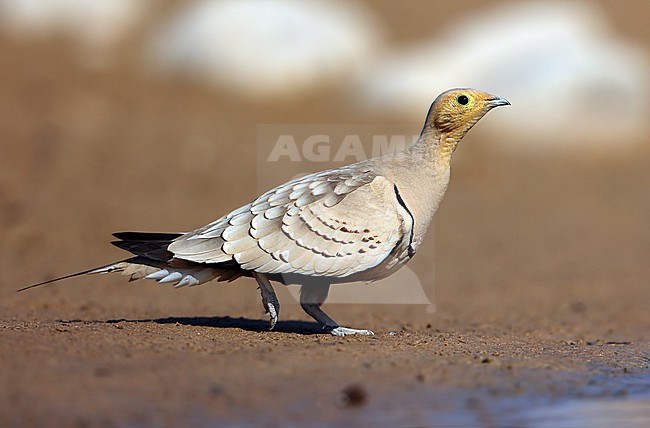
{"x": 265, "y": 48}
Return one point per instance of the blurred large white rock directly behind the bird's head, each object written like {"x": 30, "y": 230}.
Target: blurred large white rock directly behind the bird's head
{"x": 570, "y": 81}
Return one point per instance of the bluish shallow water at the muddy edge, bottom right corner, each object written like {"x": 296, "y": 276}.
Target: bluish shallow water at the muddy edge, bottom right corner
{"x": 620, "y": 401}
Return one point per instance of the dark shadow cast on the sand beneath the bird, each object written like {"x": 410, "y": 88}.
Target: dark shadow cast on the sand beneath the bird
{"x": 298, "y": 327}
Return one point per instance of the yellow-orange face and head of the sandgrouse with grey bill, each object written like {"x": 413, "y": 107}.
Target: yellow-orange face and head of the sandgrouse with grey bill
{"x": 457, "y": 110}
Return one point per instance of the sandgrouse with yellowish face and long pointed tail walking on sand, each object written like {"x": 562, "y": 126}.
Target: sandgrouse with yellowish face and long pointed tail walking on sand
{"x": 360, "y": 222}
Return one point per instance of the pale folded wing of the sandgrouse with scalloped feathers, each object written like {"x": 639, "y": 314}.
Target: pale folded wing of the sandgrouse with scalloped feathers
{"x": 334, "y": 224}
